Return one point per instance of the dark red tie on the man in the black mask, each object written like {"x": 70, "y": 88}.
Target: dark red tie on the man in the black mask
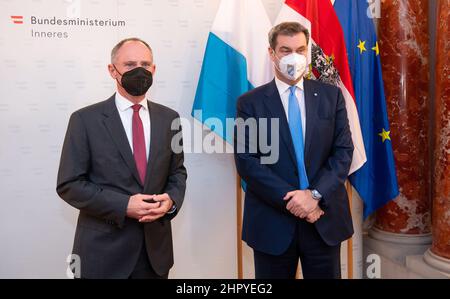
{"x": 140, "y": 156}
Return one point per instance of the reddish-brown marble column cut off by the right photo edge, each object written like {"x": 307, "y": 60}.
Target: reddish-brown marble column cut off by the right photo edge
{"x": 439, "y": 255}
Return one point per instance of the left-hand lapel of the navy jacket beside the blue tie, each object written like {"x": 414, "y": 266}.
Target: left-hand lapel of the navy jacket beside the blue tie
{"x": 276, "y": 109}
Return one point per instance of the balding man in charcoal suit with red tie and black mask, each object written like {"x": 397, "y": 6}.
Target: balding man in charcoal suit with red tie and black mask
{"x": 119, "y": 169}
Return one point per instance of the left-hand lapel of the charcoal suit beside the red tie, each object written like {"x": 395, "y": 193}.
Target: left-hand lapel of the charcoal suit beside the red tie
{"x": 115, "y": 128}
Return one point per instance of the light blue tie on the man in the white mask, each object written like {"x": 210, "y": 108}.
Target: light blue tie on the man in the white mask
{"x": 295, "y": 125}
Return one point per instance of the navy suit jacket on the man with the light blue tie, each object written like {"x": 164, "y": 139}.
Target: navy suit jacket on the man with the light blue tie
{"x": 267, "y": 225}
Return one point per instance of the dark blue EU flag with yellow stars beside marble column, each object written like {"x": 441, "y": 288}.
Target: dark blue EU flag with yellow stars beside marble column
{"x": 376, "y": 181}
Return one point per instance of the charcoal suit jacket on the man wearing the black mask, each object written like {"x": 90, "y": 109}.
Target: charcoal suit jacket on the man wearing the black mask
{"x": 97, "y": 175}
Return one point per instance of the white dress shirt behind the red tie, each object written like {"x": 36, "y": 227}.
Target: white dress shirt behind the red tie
{"x": 126, "y": 115}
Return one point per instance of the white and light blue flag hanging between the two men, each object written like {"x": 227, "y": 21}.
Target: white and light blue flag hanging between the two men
{"x": 236, "y": 60}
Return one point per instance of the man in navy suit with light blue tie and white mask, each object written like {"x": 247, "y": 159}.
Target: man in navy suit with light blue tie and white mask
{"x": 296, "y": 207}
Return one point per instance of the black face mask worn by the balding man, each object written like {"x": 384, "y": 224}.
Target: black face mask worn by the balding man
{"x": 136, "y": 81}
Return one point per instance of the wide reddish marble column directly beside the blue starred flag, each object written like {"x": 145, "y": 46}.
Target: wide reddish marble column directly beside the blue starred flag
{"x": 404, "y": 49}
